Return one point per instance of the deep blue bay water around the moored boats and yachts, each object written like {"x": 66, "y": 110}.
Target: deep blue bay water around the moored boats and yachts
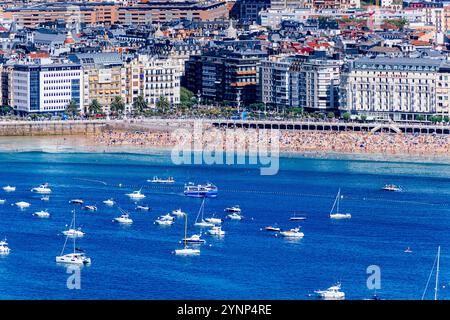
{"x": 135, "y": 262}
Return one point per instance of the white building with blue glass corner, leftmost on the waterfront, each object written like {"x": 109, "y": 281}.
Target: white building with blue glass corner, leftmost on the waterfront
{"x": 41, "y": 87}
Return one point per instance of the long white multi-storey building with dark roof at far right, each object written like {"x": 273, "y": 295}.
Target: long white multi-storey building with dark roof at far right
{"x": 396, "y": 88}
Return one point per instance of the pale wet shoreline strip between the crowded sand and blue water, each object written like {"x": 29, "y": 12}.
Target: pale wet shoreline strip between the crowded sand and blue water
{"x": 85, "y": 144}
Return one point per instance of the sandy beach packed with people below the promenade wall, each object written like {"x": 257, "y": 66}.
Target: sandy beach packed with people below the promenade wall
{"x": 316, "y": 144}
